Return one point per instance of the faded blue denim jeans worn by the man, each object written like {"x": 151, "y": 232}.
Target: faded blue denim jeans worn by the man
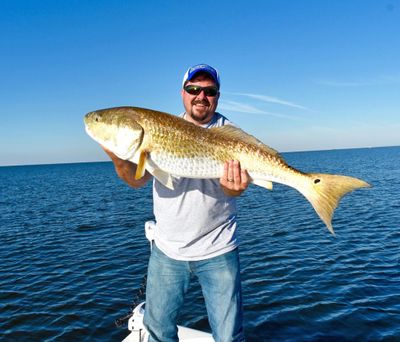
{"x": 168, "y": 281}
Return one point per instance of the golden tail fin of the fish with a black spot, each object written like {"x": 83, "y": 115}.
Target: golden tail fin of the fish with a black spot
{"x": 324, "y": 192}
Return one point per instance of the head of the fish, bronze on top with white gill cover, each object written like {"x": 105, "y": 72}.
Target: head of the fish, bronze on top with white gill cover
{"x": 116, "y": 129}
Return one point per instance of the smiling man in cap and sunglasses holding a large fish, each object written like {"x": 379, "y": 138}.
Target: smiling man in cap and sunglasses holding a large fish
{"x": 195, "y": 229}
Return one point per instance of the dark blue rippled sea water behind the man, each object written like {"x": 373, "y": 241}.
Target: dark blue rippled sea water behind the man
{"x": 73, "y": 254}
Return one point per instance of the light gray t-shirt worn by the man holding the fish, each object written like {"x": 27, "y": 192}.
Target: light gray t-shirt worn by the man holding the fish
{"x": 196, "y": 220}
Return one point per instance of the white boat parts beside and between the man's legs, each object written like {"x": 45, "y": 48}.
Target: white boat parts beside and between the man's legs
{"x": 138, "y": 332}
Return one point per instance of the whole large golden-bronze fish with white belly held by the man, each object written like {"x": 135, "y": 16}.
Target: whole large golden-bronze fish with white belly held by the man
{"x": 167, "y": 145}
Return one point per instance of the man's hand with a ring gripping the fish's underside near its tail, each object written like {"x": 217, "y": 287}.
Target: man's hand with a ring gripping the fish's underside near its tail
{"x": 234, "y": 179}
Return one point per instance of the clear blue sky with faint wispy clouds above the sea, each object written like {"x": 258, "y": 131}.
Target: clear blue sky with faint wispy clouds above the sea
{"x": 299, "y": 75}
